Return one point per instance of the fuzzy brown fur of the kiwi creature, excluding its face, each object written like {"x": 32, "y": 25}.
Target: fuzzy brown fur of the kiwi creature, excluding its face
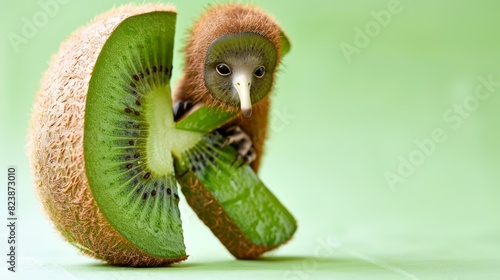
{"x": 218, "y": 21}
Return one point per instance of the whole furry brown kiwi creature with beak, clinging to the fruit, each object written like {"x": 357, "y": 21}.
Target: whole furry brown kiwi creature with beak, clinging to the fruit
{"x": 231, "y": 56}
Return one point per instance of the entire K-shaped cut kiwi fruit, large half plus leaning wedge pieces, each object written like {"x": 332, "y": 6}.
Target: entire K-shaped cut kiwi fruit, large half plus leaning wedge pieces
{"x": 106, "y": 153}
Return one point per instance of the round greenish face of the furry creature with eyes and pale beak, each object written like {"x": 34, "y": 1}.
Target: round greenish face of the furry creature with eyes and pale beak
{"x": 239, "y": 69}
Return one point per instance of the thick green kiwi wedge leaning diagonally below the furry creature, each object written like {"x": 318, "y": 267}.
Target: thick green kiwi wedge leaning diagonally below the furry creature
{"x": 231, "y": 200}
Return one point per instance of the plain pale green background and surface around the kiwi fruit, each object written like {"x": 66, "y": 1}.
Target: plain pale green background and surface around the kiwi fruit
{"x": 339, "y": 124}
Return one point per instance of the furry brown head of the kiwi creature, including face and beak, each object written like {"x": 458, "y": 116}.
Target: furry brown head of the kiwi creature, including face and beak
{"x": 232, "y": 53}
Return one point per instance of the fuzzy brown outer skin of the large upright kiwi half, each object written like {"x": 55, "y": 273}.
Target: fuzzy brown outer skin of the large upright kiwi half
{"x": 56, "y": 145}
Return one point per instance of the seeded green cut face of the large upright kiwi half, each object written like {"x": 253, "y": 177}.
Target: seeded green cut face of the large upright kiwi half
{"x": 129, "y": 132}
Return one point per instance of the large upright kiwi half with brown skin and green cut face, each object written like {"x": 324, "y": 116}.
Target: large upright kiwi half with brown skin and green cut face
{"x": 101, "y": 139}
